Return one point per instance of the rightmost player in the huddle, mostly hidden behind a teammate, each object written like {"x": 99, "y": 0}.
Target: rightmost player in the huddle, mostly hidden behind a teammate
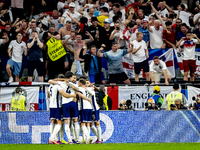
{"x": 96, "y": 118}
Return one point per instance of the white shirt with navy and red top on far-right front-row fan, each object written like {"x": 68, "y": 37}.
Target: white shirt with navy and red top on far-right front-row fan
{"x": 189, "y": 49}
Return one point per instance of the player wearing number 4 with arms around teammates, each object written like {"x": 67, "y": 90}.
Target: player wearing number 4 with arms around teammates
{"x": 70, "y": 108}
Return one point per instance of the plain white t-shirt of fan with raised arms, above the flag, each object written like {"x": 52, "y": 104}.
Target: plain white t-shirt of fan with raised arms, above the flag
{"x": 156, "y": 40}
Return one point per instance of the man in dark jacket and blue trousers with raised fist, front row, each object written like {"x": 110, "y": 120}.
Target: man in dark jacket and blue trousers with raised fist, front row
{"x": 93, "y": 65}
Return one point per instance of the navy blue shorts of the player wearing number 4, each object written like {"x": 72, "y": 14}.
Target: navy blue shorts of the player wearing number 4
{"x": 70, "y": 110}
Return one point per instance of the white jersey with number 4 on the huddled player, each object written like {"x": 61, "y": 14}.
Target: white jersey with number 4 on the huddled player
{"x": 67, "y": 90}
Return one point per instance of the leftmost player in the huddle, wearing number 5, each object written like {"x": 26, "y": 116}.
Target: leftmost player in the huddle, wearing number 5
{"x": 55, "y": 112}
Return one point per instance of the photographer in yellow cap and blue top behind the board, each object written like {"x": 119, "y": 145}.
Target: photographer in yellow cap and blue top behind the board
{"x": 155, "y": 101}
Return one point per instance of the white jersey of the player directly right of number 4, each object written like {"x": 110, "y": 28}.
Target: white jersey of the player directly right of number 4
{"x": 82, "y": 103}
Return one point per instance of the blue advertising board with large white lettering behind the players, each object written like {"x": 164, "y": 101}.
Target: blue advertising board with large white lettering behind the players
{"x": 117, "y": 127}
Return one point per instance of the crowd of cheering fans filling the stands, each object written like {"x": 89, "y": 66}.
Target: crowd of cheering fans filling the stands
{"x": 94, "y": 35}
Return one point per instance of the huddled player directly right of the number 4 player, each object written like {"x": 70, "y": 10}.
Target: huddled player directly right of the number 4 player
{"x": 85, "y": 108}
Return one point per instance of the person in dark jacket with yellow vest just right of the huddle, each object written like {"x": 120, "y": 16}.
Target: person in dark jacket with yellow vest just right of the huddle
{"x": 104, "y": 101}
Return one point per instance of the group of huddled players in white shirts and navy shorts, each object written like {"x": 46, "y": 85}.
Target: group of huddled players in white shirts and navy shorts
{"x": 71, "y": 103}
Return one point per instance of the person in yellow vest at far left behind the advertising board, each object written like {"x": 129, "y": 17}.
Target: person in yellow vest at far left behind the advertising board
{"x": 19, "y": 101}
